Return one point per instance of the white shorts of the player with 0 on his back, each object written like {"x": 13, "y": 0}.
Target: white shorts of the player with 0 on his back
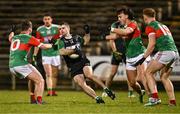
{"x": 22, "y": 71}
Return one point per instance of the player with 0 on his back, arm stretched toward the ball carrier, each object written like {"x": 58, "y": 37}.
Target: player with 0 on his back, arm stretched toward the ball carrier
{"x": 18, "y": 64}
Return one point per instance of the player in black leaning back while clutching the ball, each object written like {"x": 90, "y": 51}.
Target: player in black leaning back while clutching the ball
{"x": 70, "y": 48}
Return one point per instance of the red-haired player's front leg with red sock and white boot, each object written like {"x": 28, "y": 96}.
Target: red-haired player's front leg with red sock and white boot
{"x": 152, "y": 68}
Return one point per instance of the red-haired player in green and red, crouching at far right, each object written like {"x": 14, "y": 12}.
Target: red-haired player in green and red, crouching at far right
{"x": 160, "y": 39}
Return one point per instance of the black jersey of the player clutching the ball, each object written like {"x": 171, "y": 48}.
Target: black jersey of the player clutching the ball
{"x": 71, "y": 43}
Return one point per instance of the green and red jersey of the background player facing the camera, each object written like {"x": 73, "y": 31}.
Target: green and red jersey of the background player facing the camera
{"x": 47, "y": 33}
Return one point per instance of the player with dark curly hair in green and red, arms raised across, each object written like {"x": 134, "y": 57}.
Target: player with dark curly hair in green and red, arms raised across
{"x": 134, "y": 46}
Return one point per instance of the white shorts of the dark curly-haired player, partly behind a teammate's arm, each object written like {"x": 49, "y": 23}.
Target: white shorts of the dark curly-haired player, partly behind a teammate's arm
{"x": 131, "y": 61}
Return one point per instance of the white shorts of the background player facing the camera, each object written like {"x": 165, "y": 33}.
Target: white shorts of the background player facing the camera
{"x": 54, "y": 60}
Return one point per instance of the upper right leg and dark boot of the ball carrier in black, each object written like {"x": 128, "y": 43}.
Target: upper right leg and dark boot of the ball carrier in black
{"x": 89, "y": 74}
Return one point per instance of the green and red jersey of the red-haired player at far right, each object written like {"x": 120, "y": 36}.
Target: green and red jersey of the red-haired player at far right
{"x": 164, "y": 39}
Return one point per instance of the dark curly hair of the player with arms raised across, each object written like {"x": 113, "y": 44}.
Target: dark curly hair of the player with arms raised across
{"x": 127, "y": 11}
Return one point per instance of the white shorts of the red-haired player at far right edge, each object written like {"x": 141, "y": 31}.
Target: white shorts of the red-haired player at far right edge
{"x": 166, "y": 57}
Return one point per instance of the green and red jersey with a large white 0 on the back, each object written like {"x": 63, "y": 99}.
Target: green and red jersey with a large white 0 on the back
{"x": 20, "y": 45}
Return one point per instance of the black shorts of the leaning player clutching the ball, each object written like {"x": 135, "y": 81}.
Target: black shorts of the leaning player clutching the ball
{"x": 77, "y": 68}
